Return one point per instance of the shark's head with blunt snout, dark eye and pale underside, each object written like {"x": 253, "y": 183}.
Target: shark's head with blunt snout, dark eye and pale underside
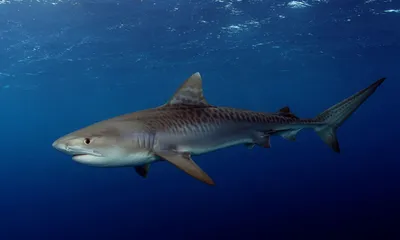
{"x": 93, "y": 145}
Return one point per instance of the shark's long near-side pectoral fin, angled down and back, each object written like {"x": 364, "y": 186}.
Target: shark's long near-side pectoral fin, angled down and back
{"x": 184, "y": 162}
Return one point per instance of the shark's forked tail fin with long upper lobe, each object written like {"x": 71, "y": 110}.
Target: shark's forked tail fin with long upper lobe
{"x": 337, "y": 114}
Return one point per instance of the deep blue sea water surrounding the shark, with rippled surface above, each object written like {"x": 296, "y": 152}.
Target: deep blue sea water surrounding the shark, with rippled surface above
{"x": 67, "y": 64}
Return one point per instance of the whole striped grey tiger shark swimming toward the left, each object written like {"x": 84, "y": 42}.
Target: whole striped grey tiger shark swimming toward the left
{"x": 188, "y": 125}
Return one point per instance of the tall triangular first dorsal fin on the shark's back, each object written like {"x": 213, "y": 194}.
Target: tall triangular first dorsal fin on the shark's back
{"x": 189, "y": 93}
